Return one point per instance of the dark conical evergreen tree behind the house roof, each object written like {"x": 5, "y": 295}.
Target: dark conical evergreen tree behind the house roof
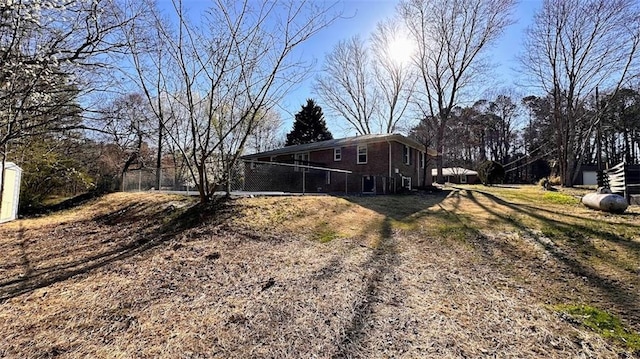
{"x": 309, "y": 126}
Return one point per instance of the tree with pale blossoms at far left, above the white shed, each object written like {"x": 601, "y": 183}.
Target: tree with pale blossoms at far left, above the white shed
{"x": 46, "y": 47}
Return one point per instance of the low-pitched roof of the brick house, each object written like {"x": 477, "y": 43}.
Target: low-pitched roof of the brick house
{"x": 342, "y": 142}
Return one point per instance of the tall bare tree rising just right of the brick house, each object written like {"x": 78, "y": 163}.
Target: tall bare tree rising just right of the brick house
{"x": 451, "y": 37}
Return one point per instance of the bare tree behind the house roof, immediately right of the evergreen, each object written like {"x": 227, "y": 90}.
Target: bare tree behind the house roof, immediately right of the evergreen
{"x": 347, "y": 85}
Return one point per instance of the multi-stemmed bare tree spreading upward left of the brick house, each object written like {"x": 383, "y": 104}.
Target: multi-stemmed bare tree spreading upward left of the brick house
{"x": 219, "y": 78}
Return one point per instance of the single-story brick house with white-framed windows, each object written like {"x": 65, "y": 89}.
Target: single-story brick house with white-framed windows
{"x": 378, "y": 164}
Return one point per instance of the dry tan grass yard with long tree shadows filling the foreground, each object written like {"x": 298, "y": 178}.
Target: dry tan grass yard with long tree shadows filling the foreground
{"x": 468, "y": 275}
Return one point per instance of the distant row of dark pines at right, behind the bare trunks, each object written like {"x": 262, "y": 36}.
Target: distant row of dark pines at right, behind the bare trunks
{"x": 521, "y": 135}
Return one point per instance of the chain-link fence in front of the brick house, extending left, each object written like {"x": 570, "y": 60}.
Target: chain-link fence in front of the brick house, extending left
{"x": 267, "y": 177}
